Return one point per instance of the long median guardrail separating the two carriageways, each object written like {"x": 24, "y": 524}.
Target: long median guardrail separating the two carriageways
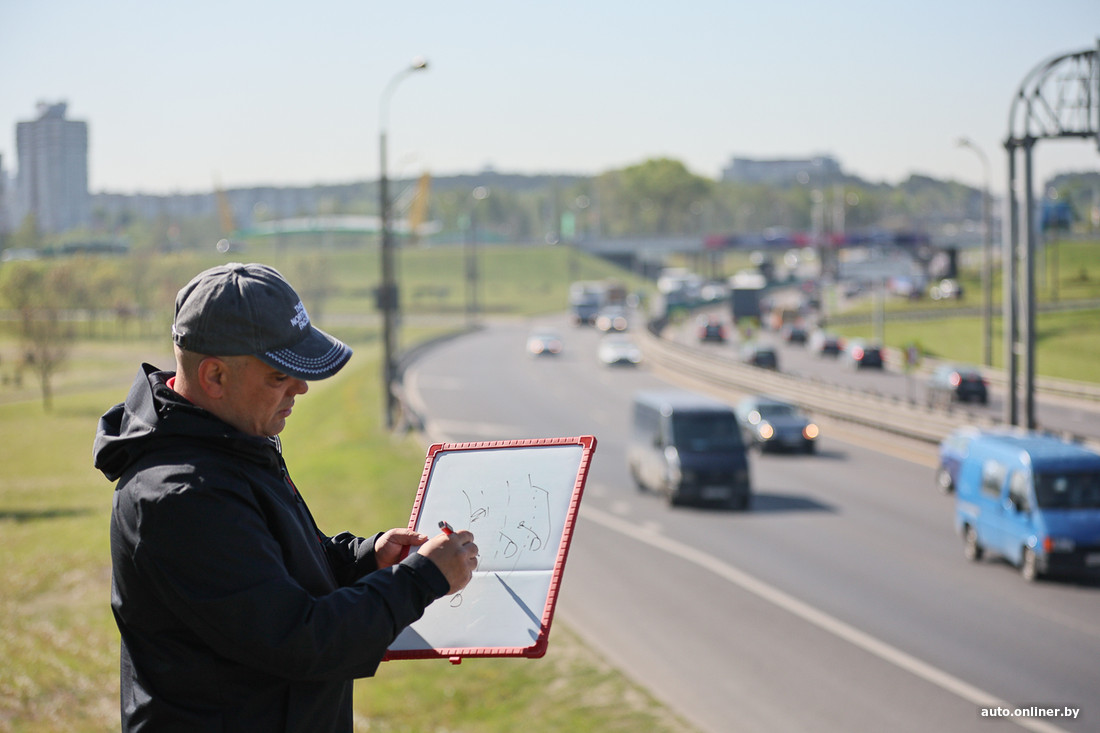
{"x": 731, "y": 379}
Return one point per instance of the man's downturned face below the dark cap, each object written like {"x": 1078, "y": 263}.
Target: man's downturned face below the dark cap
{"x": 259, "y": 399}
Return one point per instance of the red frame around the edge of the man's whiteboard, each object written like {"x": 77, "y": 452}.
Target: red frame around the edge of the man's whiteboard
{"x": 538, "y": 649}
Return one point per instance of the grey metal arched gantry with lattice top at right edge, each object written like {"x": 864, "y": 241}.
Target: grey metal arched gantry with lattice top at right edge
{"x": 1060, "y": 99}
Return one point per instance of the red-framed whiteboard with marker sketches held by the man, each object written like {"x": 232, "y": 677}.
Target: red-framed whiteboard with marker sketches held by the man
{"x": 520, "y": 499}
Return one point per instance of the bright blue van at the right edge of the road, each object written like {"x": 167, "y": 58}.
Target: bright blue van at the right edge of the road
{"x": 1032, "y": 499}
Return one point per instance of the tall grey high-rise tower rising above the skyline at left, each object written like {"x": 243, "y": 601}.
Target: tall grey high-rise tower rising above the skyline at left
{"x": 52, "y": 182}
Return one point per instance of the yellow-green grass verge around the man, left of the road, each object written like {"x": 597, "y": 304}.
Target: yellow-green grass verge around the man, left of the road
{"x": 59, "y": 642}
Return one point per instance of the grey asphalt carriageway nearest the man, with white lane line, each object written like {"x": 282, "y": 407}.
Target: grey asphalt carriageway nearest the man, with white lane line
{"x": 841, "y": 603}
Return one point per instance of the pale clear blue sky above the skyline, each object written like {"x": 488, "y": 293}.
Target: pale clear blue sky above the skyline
{"x": 186, "y": 97}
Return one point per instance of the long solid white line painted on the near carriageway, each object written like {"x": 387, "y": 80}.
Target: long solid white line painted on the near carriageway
{"x": 816, "y": 617}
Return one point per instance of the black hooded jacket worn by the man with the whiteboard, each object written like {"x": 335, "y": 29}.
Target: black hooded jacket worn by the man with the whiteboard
{"x": 237, "y": 614}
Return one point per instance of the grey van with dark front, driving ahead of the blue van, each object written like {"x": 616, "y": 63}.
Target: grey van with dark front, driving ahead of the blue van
{"x": 689, "y": 448}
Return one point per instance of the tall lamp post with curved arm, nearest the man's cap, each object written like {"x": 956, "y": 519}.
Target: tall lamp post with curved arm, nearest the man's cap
{"x": 388, "y": 292}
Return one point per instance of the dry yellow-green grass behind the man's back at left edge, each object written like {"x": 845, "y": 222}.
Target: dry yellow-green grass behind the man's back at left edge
{"x": 59, "y": 641}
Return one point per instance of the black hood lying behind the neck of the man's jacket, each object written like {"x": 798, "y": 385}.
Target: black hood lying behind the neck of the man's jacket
{"x": 153, "y": 417}
